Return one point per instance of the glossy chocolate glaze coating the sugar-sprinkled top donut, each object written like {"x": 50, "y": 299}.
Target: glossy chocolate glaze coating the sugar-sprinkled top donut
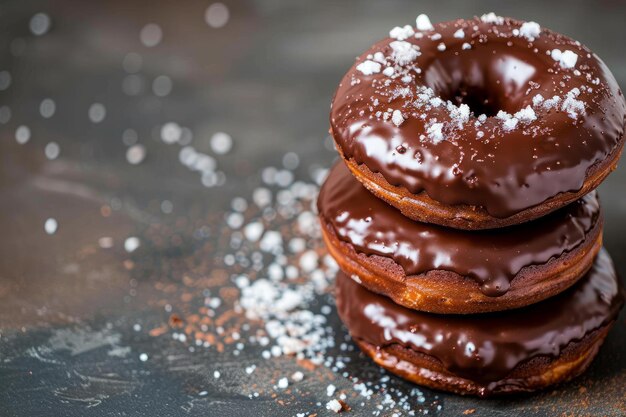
{"x": 504, "y": 172}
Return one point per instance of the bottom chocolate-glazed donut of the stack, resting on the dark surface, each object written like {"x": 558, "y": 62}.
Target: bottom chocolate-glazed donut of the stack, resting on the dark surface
{"x": 498, "y": 353}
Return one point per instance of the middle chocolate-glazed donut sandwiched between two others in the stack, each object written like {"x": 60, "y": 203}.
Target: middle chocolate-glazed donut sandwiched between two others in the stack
{"x": 442, "y": 270}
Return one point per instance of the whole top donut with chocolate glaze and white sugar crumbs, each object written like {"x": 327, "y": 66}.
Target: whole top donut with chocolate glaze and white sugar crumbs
{"x": 480, "y": 123}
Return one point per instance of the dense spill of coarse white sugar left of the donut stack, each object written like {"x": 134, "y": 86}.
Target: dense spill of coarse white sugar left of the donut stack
{"x": 267, "y": 295}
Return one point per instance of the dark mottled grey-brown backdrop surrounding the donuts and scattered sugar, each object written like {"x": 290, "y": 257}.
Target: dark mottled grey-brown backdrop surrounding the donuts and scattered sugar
{"x": 266, "y": 78}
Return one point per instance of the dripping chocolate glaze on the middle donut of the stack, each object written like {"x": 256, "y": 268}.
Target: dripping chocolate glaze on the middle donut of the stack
{"x": 491, "y": 257}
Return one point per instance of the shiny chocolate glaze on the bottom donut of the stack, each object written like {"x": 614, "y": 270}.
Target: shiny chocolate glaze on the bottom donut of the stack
{"x": 486, "y": 347}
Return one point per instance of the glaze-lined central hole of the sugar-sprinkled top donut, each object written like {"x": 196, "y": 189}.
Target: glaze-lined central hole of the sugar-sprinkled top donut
{"x": 487, "y": 79}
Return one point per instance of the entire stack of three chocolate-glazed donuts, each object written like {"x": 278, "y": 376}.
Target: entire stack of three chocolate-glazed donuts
{"x": 464, "y": 215}
